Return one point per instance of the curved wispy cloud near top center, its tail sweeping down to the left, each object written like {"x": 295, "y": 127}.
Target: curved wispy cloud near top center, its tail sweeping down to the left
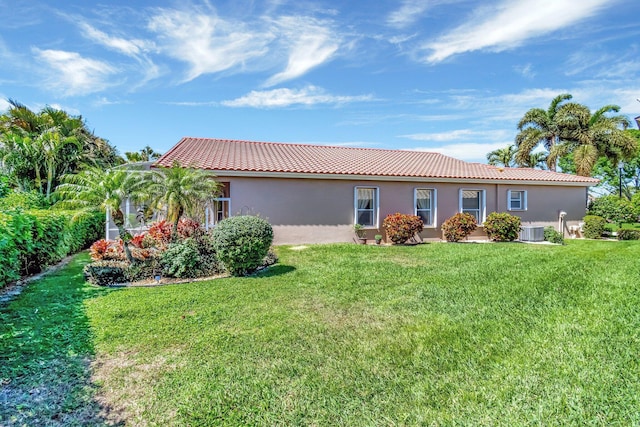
{"x": 310, "y": 43}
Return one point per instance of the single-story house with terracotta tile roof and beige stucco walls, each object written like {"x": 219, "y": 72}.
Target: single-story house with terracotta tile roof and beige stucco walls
{"x": 315, "y": 194}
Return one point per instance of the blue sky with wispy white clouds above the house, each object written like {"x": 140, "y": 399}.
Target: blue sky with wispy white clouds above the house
{"x": 449, "y": 76}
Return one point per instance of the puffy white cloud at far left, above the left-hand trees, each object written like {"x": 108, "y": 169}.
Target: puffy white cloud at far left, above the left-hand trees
{"x": 72, "y": 74}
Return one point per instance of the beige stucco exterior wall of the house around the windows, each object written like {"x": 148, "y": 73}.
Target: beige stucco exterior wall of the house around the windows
{"x": 305, "y": 210}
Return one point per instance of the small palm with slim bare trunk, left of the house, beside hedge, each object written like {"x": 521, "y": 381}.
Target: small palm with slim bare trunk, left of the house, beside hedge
{"x": 107, "y": 190}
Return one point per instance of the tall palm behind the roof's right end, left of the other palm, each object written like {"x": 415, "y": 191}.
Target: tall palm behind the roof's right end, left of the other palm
{"x": 538, "y": 126}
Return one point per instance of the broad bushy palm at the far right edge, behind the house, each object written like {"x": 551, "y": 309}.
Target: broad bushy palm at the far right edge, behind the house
{"x": 591, "y": 136}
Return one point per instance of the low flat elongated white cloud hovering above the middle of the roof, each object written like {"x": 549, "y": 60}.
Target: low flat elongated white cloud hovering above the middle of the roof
{"x": 285, "y": 97}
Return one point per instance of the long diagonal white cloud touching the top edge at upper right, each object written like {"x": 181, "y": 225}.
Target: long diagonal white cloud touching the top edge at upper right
{"x": 510, "y": 24}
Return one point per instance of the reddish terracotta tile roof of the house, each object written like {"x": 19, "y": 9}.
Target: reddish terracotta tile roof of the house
{"x": 221, "y": 155}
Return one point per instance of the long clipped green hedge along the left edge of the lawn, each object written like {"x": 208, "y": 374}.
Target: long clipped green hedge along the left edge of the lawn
{"x": 32, "y": 239}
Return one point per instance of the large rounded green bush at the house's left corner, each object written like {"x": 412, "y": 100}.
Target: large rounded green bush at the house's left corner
{"x": 242, "y": 242}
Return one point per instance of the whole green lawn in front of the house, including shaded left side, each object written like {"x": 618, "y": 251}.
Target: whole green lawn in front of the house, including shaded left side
{"x": 435, "y": 334}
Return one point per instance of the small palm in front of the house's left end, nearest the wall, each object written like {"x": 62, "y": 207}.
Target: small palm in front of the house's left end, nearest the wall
{"x": 180, "y": 190}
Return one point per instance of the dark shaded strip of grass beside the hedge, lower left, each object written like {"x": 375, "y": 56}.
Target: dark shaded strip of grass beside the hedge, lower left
{"x": 45, "y": 353}
